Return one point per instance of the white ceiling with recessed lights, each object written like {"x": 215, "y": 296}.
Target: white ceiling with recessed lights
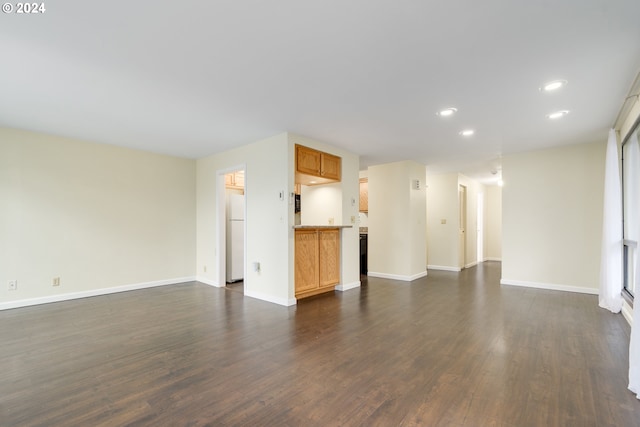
{"x": 196, "y": 78}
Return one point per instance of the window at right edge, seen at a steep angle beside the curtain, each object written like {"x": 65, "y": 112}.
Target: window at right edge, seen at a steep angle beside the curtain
{"x": 631, "y": 208}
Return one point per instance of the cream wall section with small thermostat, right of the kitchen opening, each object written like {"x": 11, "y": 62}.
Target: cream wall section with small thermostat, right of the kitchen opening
{"x": 397, "y": 221}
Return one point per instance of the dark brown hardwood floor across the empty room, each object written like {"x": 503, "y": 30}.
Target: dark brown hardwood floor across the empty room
{"x": 451, "y": 349}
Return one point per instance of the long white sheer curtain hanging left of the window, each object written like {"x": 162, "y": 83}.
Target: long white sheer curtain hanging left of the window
{"x": 610, "y": 293}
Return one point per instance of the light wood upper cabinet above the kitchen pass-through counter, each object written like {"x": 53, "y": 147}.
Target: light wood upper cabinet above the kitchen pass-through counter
{"x": 316, "y": 167}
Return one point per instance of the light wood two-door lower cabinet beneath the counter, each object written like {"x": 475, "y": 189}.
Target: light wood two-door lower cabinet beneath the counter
{"x": 317, "y": 261}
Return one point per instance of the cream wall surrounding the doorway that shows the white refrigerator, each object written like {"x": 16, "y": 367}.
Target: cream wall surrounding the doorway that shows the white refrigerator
{"x": 266, "y": 164}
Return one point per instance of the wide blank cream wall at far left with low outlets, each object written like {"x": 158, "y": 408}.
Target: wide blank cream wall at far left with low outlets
{"x": 99, "y": 217}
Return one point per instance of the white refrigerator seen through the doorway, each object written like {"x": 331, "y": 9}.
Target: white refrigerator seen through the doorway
{"x": 235, "y": 237}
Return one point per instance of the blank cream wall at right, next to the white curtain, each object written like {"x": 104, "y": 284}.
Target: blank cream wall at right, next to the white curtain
{"x": 552, "y": 217}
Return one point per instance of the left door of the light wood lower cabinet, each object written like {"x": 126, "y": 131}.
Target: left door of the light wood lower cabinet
{"x": 306, "y": 260}
